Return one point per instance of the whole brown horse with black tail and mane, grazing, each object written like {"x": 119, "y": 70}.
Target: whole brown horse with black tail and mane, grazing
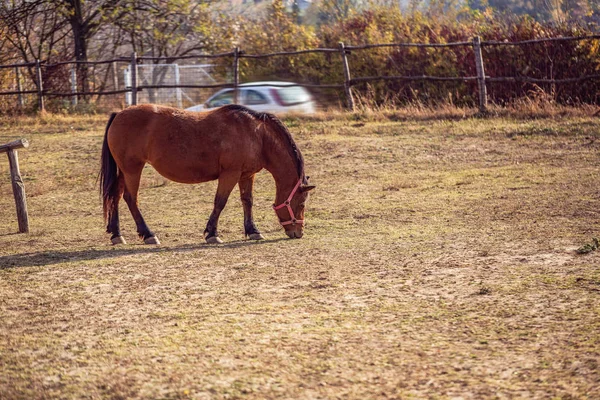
{"x": 231, "y": 144}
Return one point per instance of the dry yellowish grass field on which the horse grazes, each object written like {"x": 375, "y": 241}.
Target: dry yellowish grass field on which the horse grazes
{"x": 438, "y": 262}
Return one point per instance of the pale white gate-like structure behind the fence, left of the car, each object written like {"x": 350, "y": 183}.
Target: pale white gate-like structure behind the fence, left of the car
{"x": 171, "y": 75}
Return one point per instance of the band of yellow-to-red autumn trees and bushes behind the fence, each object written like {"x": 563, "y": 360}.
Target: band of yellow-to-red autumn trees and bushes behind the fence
{"x": 173, "y": 29}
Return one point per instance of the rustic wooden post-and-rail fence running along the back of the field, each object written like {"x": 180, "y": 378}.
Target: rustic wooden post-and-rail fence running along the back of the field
{"x": 343, "y": 50}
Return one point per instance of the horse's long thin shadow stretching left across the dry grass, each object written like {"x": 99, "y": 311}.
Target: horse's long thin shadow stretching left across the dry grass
{"x": 50, "y": 257}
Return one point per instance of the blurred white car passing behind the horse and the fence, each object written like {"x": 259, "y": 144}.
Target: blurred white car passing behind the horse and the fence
{"x": 274, "y": 97}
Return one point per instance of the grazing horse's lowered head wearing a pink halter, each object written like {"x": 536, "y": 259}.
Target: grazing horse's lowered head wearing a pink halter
{"x": 291, "y": 211}
